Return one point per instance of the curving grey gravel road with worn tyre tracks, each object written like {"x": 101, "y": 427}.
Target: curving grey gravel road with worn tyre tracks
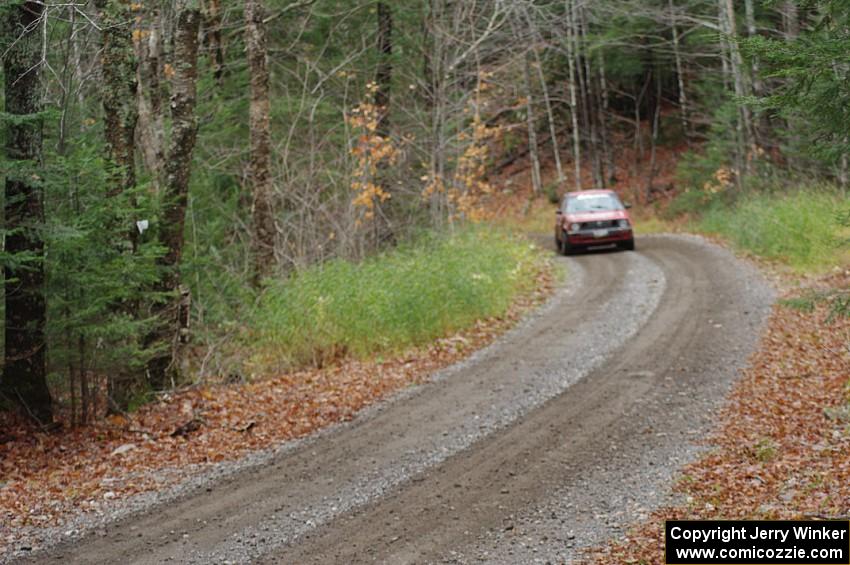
{"x": 551, "y": 439}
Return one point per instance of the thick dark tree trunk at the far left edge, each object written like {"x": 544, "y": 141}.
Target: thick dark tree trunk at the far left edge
{"x": 25, "y": 371}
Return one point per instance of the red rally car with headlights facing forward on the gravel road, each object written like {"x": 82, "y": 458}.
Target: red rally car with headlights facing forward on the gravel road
{"x": 592, "y": 217}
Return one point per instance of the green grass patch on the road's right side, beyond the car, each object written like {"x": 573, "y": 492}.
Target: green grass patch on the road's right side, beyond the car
{"x": 799, "y": 229}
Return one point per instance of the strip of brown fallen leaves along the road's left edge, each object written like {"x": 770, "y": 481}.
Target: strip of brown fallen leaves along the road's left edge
{"x": 47, "y": 477}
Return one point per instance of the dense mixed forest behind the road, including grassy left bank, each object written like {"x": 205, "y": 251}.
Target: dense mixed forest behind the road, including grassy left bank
{"x": 190, "y": 180}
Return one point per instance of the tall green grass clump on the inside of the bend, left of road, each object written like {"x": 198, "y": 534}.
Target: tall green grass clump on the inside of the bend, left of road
{"x": 407, "y": 297}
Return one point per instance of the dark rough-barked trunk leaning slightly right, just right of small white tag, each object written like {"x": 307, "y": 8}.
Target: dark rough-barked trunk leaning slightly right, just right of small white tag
{"x": 171, "y": 331}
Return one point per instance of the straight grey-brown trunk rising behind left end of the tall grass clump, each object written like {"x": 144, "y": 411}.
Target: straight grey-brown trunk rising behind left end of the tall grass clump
{"x": 259, "y": 169}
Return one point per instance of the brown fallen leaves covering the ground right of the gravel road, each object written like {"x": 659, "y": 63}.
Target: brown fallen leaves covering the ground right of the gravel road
{"x": 782, "y": 449}
